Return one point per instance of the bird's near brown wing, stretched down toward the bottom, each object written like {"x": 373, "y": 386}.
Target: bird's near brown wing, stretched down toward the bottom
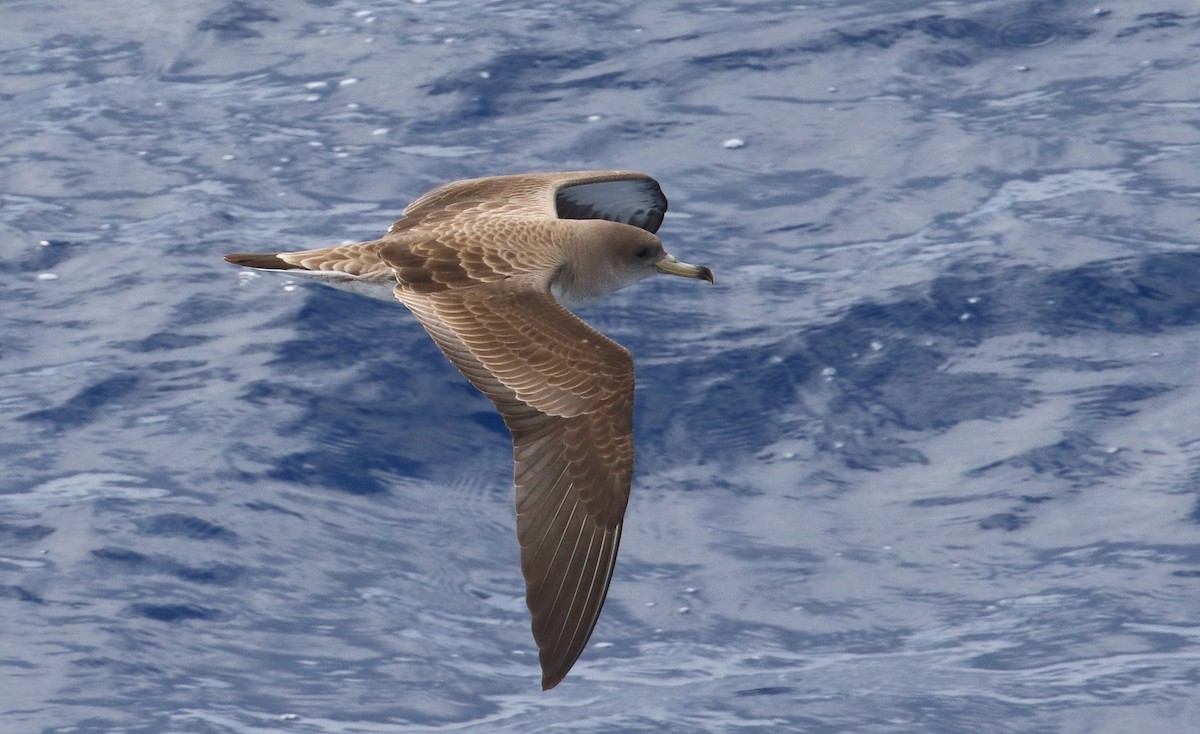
{"x": 566, "y": 393}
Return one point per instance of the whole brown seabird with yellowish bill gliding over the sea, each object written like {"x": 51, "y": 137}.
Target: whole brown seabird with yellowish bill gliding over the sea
{"x": 489, "y": 267}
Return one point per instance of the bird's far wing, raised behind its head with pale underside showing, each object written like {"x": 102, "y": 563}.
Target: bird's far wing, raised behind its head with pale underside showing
{"x": 619, "y": 196}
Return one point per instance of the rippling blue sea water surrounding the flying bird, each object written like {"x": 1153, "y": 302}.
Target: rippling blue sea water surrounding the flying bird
{"x": 927, "y": 459}
